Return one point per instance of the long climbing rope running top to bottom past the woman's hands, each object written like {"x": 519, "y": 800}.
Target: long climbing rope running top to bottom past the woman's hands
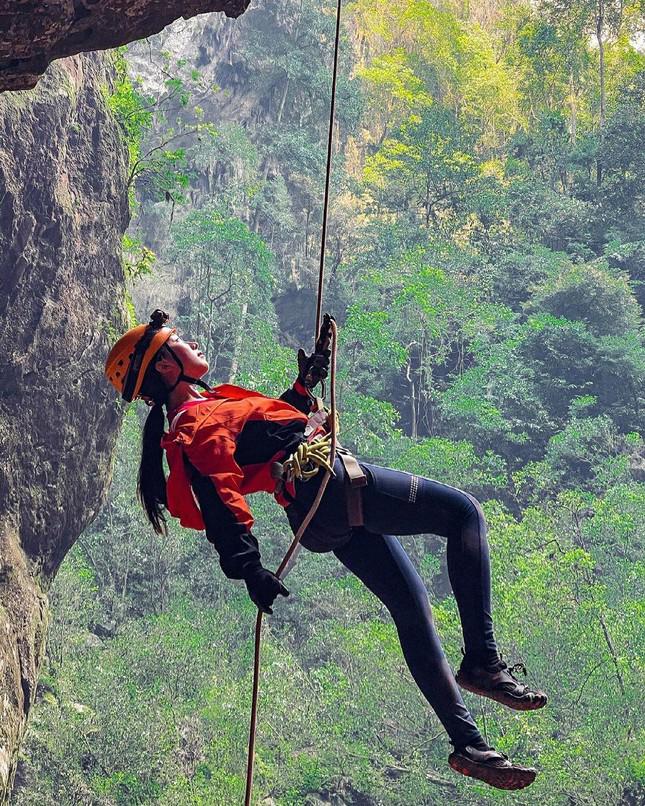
{"x": 289, "y": 557}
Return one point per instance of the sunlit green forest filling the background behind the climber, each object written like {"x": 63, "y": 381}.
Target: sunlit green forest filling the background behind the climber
{"x": 485, "y": 263}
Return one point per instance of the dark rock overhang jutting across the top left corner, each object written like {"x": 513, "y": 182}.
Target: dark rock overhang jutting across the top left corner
{"x": 33, "y": 32}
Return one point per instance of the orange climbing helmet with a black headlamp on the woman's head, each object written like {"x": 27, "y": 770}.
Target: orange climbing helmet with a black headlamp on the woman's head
{"x": 130, "y": 357}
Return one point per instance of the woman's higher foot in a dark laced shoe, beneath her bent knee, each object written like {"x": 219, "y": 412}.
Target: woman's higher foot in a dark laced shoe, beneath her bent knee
{"x": 498, "y": 682}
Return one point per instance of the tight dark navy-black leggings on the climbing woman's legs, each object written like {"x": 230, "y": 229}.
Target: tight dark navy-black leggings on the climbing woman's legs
{"x": 398, "y": 503}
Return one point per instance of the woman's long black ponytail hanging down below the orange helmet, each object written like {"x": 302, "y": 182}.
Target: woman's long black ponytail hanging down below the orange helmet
{"x": 151, "y": 483}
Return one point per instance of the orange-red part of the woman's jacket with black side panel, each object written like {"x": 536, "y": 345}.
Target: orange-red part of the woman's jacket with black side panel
{"x": 222, "y": 437}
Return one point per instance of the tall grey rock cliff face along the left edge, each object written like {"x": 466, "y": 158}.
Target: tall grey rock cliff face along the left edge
{"x": 63, "y": 208}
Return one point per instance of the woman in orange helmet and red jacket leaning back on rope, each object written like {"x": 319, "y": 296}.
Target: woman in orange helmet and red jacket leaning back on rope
{"x": 227, "y": 442}
